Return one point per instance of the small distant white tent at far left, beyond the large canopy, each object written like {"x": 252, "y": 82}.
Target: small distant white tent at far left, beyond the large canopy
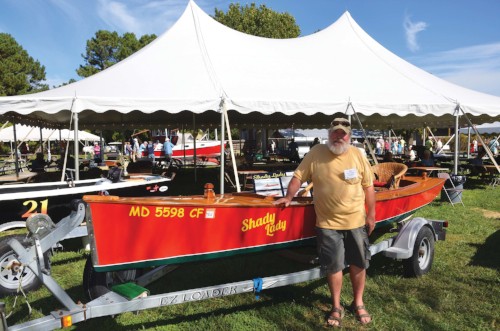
{"x": 28, "y": 133}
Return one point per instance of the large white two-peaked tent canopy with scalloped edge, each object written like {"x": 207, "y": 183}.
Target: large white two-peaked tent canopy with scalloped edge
{"x": 300, "y": 82}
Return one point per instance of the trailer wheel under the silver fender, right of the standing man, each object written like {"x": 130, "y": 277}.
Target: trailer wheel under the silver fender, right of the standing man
{"x": 423, "y": 254}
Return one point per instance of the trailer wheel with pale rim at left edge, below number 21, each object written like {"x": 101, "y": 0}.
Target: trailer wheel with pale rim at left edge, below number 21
{"x": 11, "y": 272}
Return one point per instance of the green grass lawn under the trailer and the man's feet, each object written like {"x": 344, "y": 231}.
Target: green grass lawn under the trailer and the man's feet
{"x": 461, "y": 292}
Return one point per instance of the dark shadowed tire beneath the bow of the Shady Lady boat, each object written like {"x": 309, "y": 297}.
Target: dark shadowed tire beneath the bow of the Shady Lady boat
{"x": 97, "y": 283}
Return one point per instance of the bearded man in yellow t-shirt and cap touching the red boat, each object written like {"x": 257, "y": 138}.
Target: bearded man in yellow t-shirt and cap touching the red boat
{"x": 343, "y": 184}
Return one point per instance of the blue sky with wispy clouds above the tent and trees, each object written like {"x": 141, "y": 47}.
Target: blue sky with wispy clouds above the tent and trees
{"x": 458, "y": 40}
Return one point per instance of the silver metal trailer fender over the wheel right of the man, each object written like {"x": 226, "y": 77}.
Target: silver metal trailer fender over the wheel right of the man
{"x": 404, "y": 242}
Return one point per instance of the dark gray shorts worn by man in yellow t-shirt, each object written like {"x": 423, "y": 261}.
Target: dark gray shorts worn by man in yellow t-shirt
{"x": 340, "y": 248}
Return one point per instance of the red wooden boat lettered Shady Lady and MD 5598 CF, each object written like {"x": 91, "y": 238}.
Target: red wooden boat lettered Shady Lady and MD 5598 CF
{"x": 160, "y": 230}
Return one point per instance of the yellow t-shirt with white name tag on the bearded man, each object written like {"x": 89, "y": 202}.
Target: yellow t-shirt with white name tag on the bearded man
{"x": 339, "y": 199}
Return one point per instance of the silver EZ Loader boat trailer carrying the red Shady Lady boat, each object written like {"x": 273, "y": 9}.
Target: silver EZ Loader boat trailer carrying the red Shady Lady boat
{"x": 414, "y": 243}
